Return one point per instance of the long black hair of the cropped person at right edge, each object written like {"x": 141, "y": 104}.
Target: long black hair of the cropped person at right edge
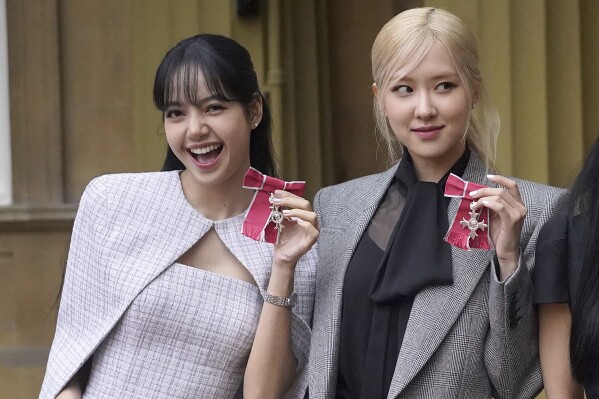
{"x": 583, "y": 207}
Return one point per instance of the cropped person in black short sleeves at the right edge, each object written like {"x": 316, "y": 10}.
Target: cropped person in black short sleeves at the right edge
{"x": 567, "y": 290}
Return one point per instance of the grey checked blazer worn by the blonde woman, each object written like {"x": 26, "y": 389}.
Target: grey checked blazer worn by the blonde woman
{"x": 476, "y": 338}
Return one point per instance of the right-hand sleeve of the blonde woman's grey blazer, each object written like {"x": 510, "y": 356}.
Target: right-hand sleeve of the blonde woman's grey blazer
{"x": 511, "y": 354}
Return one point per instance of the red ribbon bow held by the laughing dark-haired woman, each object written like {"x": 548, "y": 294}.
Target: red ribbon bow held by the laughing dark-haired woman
{"x": 257, "y": 224}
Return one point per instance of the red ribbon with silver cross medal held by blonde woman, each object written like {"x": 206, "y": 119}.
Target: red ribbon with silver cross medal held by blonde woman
{"x": 459, "y": 234}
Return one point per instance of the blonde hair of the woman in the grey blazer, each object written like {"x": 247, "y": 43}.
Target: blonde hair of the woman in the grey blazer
{"x": 402, "y": 44}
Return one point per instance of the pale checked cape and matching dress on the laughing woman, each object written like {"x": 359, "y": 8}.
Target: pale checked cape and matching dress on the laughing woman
{"x": 129, "y": 231}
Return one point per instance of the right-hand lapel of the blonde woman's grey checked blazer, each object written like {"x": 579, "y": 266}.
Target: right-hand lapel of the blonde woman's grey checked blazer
{"x": 436, "y": 309}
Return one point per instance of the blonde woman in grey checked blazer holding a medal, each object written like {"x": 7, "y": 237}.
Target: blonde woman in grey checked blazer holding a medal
{"x": 423, "y": 287}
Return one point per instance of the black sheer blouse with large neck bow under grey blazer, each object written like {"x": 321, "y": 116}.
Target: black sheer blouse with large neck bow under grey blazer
{"x": 401, "y": 252}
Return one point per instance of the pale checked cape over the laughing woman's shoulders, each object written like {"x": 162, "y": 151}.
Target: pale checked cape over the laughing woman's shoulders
{"x": 129, "y": 229}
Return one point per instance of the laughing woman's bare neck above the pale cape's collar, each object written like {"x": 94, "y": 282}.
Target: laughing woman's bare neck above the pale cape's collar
{"x": 216, "y": 202}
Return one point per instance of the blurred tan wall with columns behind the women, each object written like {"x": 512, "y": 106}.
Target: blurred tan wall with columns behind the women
{"x": 76, "y": 82}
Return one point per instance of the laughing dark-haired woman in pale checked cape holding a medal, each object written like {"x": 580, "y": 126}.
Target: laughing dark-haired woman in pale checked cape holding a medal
{"x": 163, "y": 296}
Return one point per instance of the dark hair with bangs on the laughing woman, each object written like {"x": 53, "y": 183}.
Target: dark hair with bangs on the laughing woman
{"x": 229, "y": 75}
